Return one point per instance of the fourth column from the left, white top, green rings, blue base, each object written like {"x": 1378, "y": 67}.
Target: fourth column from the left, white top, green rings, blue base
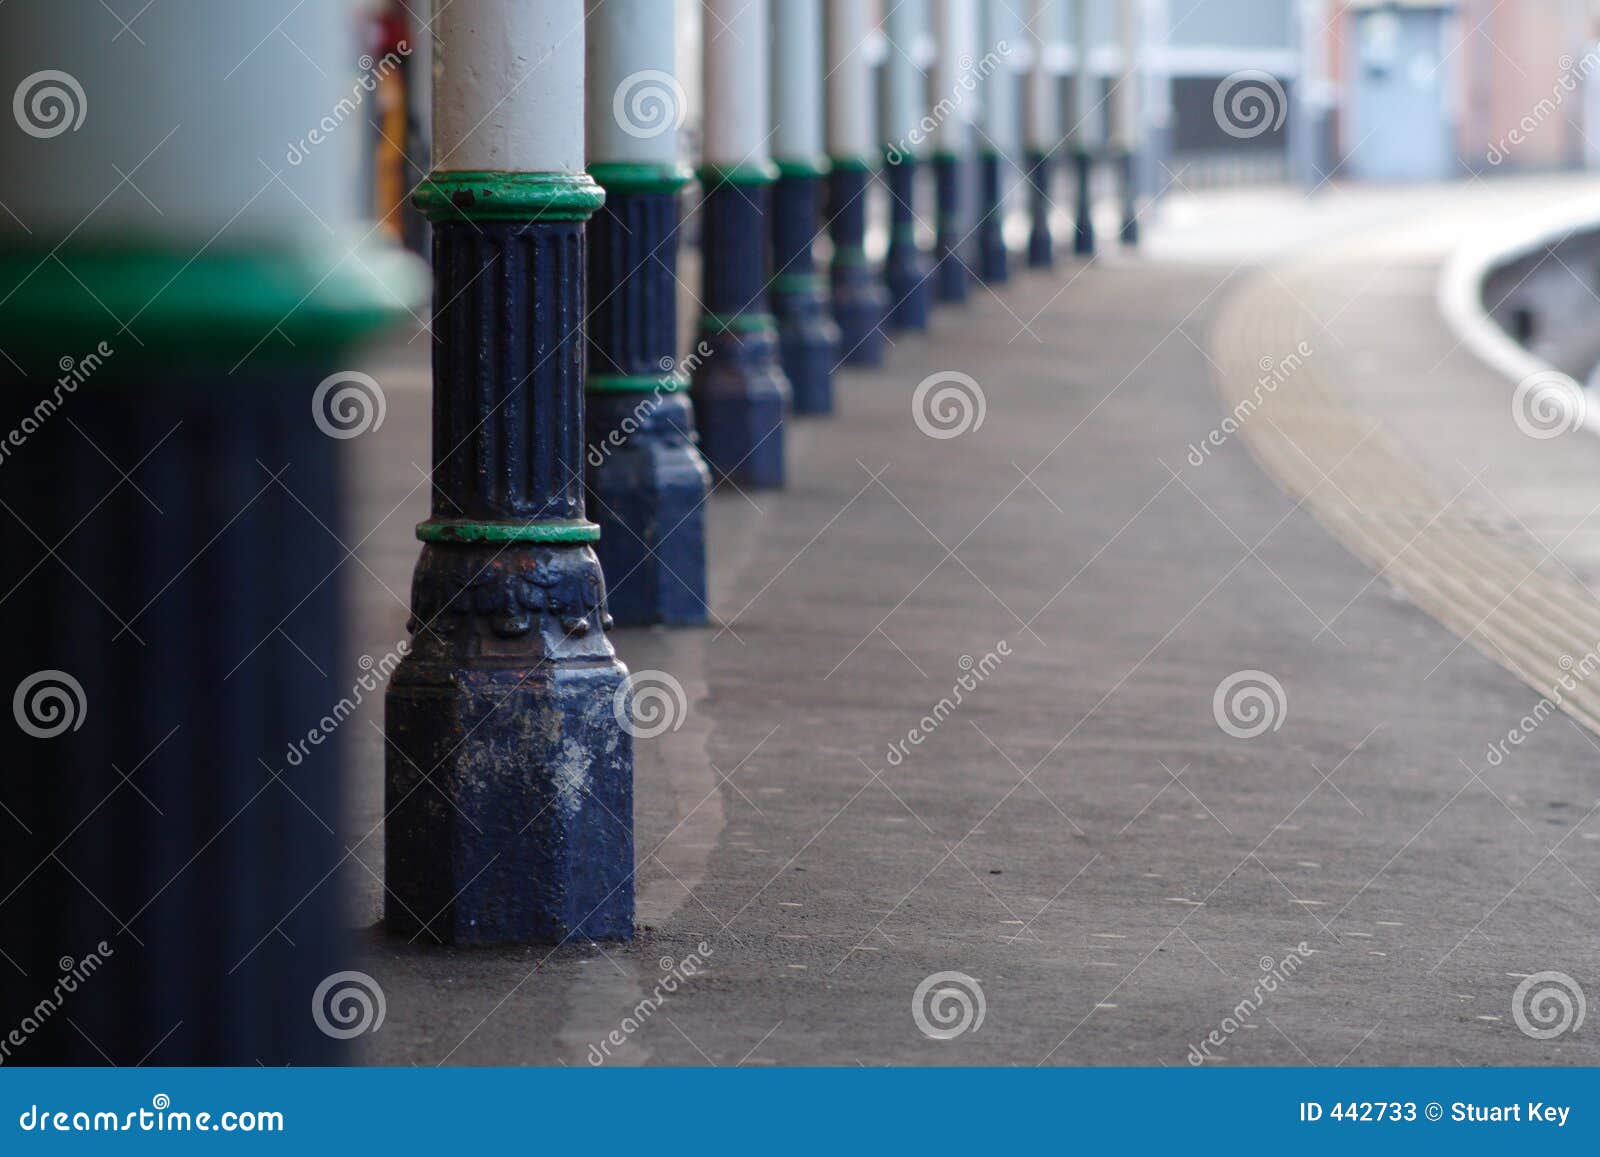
{"x": 740, "y": 386}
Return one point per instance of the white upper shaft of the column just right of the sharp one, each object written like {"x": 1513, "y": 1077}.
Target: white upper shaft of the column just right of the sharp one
{"x": 636, "y": 102}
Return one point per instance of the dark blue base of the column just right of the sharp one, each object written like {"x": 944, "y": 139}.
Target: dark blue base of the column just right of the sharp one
{"x": 647, "y": 492}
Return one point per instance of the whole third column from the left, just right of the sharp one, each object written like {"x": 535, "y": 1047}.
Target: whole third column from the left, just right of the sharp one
{"x": 647, "y": 481}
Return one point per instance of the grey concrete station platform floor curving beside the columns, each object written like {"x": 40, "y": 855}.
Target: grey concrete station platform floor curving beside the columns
{"x": 1116, "y": 873}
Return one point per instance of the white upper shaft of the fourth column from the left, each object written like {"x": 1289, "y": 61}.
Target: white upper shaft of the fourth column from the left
{"x": 735, "y": 54}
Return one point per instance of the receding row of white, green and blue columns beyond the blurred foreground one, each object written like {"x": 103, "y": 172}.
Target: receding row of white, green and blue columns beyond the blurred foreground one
{"x": 550, "y": 526}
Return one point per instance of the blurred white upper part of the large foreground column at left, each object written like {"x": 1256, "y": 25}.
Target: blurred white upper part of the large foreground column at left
{"x": 226, "y": 132}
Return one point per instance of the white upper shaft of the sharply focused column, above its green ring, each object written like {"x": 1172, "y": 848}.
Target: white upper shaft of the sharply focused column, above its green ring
{"x": 510, "y": 86}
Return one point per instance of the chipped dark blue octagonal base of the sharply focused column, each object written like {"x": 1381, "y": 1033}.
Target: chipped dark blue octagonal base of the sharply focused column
{"x": 510, "y": 790}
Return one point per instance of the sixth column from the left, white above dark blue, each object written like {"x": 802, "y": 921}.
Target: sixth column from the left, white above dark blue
{"x": 862, "y": 300}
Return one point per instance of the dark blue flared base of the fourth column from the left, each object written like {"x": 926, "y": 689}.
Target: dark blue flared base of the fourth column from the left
{"x": 740, "y": 398}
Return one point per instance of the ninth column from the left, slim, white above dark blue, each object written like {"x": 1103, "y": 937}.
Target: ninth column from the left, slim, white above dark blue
{"x": 998, "y": 153}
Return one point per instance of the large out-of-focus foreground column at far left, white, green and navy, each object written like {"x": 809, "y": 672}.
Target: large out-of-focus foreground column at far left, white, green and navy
{"x": 183, "y": 276}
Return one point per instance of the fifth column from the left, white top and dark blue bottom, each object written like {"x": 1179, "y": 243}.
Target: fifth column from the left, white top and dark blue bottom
{"x": 802, "y": 303}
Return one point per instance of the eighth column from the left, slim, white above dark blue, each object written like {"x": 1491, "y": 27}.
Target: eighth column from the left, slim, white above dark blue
{"x": 951, "y": 92}
